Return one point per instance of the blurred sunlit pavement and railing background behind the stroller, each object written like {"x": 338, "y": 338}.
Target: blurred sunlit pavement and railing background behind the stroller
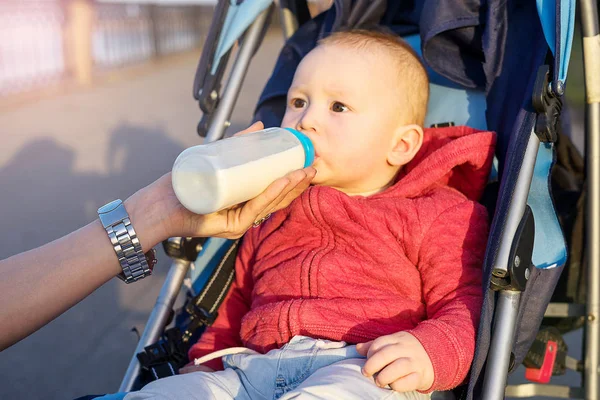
{"x": 95, "y": 103}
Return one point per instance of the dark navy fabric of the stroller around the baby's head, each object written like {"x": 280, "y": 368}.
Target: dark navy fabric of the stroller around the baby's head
{"x": 470, "y": 43}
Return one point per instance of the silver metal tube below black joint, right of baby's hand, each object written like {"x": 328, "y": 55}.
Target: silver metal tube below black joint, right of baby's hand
{"x": 496, "y": 370}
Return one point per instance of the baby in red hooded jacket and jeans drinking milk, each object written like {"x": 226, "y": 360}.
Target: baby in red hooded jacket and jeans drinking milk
{"x": 368, "y": 286}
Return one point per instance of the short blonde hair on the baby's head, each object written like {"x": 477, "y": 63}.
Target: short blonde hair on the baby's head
{"x": 411, "y": 71}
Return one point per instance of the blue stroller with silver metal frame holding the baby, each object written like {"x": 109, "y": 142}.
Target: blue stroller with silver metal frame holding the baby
{"x": 482, "y": 76}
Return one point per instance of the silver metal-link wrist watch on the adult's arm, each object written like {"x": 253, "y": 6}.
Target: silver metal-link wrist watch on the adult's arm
{"x": 136, "y": 265}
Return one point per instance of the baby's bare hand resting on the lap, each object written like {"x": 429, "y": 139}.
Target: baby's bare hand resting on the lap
{"x": 400, "y": 360}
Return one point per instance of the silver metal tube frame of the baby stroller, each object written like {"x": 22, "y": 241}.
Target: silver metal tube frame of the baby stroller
{"x": 503, "y": 331}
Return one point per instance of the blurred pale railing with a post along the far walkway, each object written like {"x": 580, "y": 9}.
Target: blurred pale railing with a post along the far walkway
{"x": 47, "y": 41}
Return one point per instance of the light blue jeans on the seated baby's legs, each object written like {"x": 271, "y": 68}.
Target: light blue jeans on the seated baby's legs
{"x": 304, "y": 368}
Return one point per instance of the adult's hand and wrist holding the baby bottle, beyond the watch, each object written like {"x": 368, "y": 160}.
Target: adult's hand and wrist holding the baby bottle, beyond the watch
{"x": 157, "y": 214}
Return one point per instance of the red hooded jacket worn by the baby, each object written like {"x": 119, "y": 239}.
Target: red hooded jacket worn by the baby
{"x": 336, "y": 267}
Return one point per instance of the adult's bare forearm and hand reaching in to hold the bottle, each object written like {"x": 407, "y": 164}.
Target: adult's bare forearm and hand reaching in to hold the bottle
{"x": 40, "y": 284}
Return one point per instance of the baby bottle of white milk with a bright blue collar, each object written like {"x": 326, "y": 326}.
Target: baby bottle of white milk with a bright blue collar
{"x": 217, "y": 175}
